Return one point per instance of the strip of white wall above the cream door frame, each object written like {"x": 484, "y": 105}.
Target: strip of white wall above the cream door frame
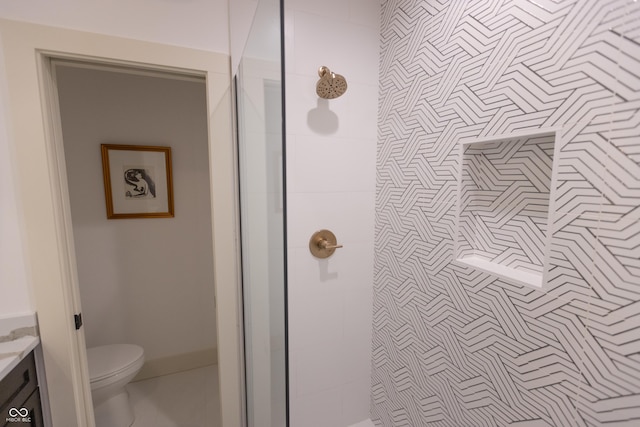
{"x": 199, "y": 24}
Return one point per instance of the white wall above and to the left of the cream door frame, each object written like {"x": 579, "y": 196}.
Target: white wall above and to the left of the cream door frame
{"x": 201, "y": 24}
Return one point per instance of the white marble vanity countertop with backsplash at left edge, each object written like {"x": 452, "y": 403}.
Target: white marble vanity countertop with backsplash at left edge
{"x": 18, "y": 336}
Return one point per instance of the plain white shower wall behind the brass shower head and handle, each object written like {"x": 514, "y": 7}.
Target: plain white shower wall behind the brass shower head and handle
{"x": 331, "y": 150}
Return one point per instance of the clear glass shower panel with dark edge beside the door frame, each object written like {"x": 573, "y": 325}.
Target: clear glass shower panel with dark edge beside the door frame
{"x": 262, "y": 213}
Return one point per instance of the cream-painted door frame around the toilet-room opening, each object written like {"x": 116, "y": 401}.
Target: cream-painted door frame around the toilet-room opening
{"x": 35, "y": 136}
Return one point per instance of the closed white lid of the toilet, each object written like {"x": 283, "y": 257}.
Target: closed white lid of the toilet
{"x": 108, "y": 360}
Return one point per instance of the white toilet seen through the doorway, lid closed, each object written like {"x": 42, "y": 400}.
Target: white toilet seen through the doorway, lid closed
{"x": 111, "y": 367}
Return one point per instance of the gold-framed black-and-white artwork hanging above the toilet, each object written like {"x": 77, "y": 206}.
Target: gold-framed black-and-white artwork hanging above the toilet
{"x": 138, "y": 181}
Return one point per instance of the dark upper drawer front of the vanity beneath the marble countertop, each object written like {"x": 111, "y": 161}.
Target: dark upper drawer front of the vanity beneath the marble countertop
{"x": 17, "y": 386}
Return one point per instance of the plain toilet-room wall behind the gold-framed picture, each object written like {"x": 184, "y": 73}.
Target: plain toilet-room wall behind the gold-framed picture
{"x": 143, "y": 281}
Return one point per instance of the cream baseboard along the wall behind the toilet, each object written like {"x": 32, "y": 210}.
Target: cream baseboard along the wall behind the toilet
{"x": 177, "y": 363}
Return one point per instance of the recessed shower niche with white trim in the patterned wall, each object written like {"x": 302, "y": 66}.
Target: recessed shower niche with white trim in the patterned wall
{"x": 504, "y": 193}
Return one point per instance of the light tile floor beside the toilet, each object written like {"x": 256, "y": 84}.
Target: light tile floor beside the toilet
{"x": 185, "y": 399}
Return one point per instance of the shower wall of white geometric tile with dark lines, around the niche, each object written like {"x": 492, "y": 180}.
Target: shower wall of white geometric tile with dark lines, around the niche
{"x": 453, "y": 346}
